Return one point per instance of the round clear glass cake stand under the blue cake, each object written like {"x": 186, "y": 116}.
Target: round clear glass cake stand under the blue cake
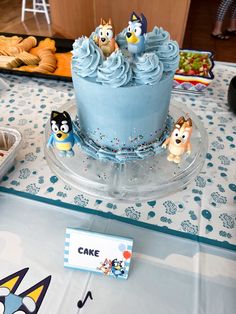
{"x": 133, "y": 181}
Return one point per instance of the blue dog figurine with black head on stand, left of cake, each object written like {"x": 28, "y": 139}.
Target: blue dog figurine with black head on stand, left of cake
{"x": 62, "y": 136}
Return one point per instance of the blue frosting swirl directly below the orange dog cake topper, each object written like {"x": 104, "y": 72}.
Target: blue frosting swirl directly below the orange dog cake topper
{"x": 115, "y": 71}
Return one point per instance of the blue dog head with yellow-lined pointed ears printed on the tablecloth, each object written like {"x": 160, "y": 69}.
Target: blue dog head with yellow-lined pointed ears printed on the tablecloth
{"x": 28, "y": 301}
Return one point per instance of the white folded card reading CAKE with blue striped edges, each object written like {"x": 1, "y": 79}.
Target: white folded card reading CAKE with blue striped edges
{"x": 101, "y": 253}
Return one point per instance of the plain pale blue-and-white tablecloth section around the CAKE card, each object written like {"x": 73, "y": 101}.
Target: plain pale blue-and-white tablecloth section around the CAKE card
{"x": 168, "y": 274}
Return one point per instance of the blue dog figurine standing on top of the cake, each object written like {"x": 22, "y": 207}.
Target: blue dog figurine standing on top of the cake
{"x": 135, "y": 34}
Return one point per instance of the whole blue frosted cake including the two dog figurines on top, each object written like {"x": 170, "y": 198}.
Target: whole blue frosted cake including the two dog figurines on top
{"x": 123, "y": 86}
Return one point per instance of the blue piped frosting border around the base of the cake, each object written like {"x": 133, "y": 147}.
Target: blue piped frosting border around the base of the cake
{"x": 123, "y": 155}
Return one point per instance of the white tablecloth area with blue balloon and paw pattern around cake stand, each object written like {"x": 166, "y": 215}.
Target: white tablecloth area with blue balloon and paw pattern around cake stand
{"x": 205, "y": 211}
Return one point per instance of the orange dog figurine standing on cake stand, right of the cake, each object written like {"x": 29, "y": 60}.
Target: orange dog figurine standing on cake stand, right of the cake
{"x": 179, "y": 141}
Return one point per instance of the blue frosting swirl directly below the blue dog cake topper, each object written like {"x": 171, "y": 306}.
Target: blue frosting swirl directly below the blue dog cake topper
{"x": 147, "y": 69}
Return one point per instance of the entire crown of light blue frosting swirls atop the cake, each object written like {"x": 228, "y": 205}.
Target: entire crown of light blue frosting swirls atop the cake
{"x": 115, "y": 71}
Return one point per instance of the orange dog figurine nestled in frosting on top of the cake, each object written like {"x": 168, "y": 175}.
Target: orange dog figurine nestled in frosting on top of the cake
{"x": 106, "y": 38}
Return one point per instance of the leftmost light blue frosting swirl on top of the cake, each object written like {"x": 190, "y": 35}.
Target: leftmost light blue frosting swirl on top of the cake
{"x": 86, "y": 57}
